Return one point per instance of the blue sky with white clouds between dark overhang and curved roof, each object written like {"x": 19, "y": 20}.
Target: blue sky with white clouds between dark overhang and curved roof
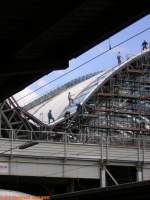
{"x": 104, "y": 62}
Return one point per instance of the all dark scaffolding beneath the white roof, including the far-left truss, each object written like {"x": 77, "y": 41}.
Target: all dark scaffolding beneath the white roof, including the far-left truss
{"x": 119, "y": 106}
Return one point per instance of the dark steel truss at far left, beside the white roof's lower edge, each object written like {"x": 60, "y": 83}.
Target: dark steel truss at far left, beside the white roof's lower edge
{"x": 13, "y": 117}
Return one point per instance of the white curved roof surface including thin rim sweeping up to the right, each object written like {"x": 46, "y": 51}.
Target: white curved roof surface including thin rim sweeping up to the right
{"x": 80, "y": 93}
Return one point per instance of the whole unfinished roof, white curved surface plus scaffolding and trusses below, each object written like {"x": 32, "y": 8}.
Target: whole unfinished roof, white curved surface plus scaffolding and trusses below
{"x": 114, "y": 102}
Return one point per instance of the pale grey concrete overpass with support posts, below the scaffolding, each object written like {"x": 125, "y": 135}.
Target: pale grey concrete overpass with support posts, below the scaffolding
{"x": 65, "y": 159}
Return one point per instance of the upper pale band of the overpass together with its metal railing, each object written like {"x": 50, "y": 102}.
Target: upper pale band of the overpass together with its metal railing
{"x": 103, "y": 147}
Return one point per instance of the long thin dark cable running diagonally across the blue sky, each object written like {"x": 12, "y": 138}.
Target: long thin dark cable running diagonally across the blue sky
{"x": 86, "y": 62}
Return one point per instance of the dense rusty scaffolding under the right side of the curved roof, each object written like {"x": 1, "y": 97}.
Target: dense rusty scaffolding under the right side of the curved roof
{"x": 118, "y": 107}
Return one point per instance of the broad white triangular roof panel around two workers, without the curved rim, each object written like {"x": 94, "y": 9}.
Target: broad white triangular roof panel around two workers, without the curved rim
{"x": 59, "y": 104}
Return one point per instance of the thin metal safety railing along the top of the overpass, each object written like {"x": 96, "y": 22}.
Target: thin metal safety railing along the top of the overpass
{"x": 84, "y": 138}
